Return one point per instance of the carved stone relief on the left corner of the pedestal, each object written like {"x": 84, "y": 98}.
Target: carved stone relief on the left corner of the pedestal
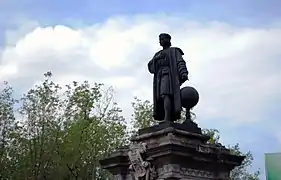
{"x": 138, "y": 166}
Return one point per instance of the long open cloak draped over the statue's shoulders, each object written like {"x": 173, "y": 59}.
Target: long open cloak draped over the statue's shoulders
{"x": 176, "y": 69}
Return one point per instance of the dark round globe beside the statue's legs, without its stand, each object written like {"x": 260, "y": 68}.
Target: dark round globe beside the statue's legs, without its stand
{"x": 189, "y": 97}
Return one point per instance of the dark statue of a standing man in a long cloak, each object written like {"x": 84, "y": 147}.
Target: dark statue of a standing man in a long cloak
{"x": 169, "y": 70}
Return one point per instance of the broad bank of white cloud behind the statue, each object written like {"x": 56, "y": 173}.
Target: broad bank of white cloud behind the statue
{"x": 235, "y": 69}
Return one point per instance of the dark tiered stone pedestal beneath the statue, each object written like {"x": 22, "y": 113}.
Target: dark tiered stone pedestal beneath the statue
{"x": 173, "y": 151}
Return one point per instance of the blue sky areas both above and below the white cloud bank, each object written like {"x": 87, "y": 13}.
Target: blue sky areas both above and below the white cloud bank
{"x": 256, "y": 137}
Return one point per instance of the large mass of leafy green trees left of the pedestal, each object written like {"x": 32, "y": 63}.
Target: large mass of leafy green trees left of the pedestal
{"x": 63, "y": 131}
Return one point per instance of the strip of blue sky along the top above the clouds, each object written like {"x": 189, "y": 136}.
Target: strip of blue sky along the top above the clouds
{"x": 253, "y": 12}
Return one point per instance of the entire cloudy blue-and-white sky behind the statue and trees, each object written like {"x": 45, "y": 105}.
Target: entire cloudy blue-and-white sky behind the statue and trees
{"x": 231, "y": 48}
